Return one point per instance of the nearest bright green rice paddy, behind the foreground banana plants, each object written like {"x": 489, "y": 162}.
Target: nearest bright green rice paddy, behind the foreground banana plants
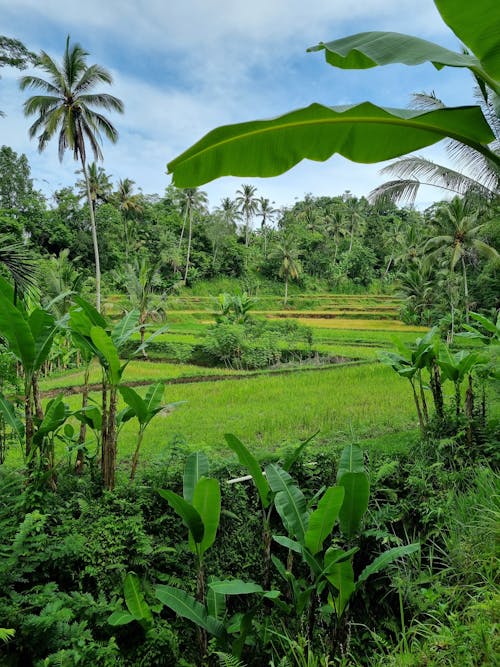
{"x": 269, "y": 412}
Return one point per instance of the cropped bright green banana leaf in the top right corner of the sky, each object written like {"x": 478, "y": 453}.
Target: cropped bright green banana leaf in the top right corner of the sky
{"x": 477, "y": 25}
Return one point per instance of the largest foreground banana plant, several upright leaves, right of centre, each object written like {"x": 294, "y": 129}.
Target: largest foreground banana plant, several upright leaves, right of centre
{"x": 330, "y": 567}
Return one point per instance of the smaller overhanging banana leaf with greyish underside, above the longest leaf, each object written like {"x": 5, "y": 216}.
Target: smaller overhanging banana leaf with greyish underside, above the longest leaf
{"x": 369, "y": 49}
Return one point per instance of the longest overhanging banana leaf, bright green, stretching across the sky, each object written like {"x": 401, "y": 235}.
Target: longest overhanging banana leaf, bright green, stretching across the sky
{"x": 363, "y": 133}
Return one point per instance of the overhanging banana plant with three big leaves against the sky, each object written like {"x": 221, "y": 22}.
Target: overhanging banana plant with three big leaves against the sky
{"x": 365, "y": 132}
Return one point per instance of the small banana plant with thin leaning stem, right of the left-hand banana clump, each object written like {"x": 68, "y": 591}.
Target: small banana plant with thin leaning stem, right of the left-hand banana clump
{"x": 143, "y": 409}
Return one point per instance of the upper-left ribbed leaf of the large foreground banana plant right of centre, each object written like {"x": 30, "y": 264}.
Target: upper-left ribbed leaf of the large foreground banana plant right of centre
{"x": 289, "y": 501}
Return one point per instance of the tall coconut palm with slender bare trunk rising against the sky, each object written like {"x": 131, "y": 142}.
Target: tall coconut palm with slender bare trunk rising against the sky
{"x": 66, "y": 108}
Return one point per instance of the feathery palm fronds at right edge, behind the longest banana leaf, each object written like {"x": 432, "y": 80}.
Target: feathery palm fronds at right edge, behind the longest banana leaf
{"x": 475, "y": 173}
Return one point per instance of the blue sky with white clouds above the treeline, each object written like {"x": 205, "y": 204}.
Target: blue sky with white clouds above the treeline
{"x": 183, "y": 67}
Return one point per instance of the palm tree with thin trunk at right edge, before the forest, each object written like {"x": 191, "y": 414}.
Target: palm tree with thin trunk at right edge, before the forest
{"x": 458, "y": 235}
